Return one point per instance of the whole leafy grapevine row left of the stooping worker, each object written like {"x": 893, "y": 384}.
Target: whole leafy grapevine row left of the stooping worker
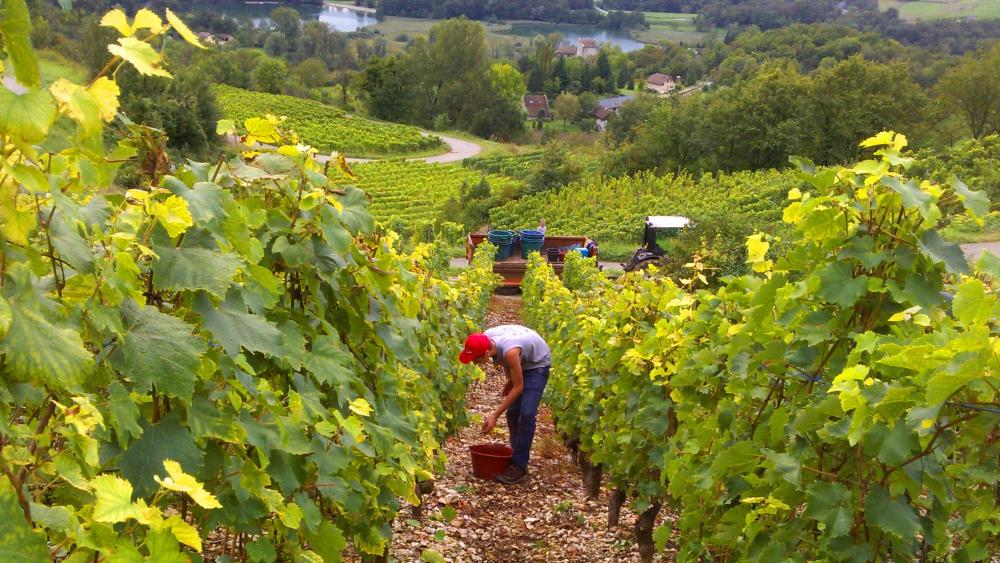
{"x": 230, "y": 348}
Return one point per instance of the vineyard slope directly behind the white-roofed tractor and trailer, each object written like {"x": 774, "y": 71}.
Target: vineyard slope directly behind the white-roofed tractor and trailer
{"x": 614, "y": 208}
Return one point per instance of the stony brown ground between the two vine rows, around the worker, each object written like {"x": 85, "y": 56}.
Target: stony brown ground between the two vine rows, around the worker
{"x": 547, "y": 517}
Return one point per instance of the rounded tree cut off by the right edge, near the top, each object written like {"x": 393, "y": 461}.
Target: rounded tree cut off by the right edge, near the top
{"x": 973, "y": 90}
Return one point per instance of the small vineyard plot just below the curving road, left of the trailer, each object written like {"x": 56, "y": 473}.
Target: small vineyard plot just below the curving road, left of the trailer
{"x": 405, "y": 193}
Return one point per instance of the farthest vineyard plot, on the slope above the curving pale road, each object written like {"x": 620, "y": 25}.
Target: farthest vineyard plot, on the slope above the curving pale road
{"x": 323, "y": 126}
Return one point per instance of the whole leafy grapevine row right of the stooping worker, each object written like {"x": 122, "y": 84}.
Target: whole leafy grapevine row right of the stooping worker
{"x": 840, "y": 402}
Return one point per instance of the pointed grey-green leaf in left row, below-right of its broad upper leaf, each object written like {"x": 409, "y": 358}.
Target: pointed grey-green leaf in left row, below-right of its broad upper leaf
{"x": 234, "y": 328}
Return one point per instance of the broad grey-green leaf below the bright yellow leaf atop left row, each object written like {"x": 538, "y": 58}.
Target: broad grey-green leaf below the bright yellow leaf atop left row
{"x": 192, "y": 269}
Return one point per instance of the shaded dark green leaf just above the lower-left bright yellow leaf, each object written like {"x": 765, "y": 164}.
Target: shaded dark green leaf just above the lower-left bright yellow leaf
{"x": 164, "y": 440}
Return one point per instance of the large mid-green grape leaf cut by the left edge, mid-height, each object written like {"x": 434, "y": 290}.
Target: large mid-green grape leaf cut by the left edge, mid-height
{"x": 39, "y": 351}
